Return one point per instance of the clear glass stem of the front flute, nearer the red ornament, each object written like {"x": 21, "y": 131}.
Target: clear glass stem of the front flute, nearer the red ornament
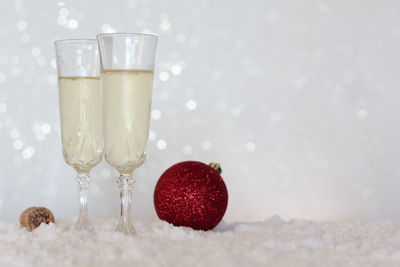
{"x": 125, "y": 183}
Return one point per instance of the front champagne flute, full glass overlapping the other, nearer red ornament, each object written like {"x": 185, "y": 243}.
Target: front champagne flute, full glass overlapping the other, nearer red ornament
{"x": 127, "y": 64}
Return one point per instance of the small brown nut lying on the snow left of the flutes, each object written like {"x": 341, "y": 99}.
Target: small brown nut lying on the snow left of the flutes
{"x": 34, "y": 216}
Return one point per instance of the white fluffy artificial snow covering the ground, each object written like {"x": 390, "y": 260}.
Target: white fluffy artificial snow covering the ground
{"x": 273, "y": 242}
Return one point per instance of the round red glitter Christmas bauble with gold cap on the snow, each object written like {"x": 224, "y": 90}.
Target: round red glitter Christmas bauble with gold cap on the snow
{"x": 192, "y": 194}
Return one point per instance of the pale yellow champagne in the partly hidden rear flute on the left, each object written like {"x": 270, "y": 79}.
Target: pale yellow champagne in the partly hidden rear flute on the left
{"x": 81, "y": 121}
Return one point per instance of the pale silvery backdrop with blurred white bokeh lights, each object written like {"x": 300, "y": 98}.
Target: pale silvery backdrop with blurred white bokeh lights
{"x": 298, "y": 100}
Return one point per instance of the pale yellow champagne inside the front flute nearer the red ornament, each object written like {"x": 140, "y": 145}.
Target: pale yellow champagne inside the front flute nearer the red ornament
{"x": 127, "y": 104}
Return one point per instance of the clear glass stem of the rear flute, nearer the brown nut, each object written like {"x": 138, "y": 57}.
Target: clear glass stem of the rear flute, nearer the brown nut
{"x": 84, "y": 181}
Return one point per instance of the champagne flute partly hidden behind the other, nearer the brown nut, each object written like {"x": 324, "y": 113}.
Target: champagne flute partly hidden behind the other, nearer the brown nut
{"x": 80, "y": 97}
